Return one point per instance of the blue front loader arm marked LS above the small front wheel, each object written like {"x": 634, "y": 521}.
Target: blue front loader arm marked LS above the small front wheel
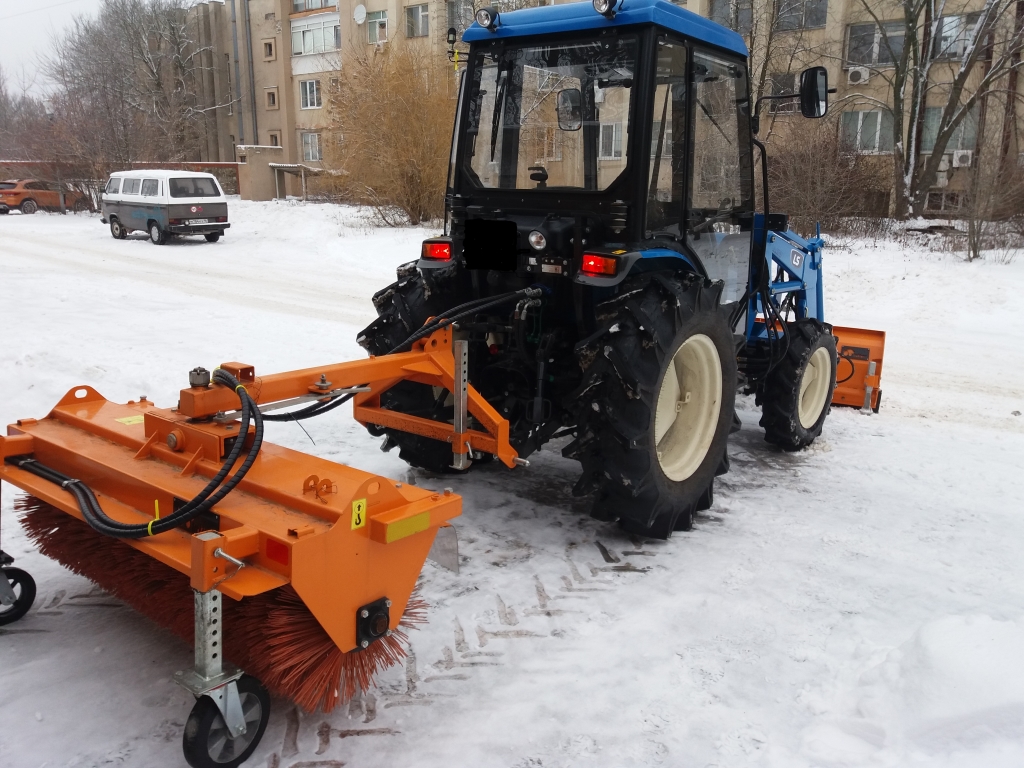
{"x": 795, "y": 268}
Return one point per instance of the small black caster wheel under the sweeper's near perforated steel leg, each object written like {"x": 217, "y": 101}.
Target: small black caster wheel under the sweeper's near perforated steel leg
{"x": 206, "y": 742}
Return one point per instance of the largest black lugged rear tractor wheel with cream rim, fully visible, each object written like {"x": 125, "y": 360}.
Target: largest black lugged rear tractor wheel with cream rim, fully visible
{"x": 656, "y": 404}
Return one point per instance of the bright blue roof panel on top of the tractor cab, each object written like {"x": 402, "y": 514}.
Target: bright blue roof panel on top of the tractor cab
{"x": 578, "y": 17}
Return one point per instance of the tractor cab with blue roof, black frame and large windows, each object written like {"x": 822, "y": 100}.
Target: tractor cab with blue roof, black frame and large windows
{"x": 593, "y": 141}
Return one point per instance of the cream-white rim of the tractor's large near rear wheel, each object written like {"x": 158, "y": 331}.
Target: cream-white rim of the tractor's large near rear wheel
{"x": 689, "y": 406}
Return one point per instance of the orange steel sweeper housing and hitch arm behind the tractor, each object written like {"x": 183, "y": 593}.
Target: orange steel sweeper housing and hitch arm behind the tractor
{"x": 343, "y": 538}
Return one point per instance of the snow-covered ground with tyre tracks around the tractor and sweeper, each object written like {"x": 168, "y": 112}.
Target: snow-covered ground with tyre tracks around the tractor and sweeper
{"x": 860, "y": 604}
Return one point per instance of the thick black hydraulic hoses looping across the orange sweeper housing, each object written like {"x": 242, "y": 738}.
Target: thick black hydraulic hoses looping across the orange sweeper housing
{"x": 203, "y": 502}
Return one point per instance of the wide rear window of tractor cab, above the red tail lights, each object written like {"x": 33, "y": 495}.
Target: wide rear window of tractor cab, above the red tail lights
{"x": 551, "y": 116}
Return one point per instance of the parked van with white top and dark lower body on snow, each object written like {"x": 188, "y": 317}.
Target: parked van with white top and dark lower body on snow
{"x": 165, "y": 204}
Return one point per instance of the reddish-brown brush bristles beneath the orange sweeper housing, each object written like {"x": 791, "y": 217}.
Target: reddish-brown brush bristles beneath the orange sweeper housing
{"x": 274, "y": 637}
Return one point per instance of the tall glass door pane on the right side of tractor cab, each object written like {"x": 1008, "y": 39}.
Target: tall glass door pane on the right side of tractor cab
{"x": 719, "y": 216}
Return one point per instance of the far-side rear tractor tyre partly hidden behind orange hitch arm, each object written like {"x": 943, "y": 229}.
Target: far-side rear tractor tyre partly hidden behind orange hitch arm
{"x": 403, "y": 308}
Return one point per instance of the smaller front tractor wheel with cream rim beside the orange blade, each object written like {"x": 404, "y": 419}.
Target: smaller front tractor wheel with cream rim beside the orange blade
{"x": 798, "y": 393}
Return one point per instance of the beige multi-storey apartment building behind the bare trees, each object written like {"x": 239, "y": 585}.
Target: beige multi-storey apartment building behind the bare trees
{"x": 273, "y": 65}
